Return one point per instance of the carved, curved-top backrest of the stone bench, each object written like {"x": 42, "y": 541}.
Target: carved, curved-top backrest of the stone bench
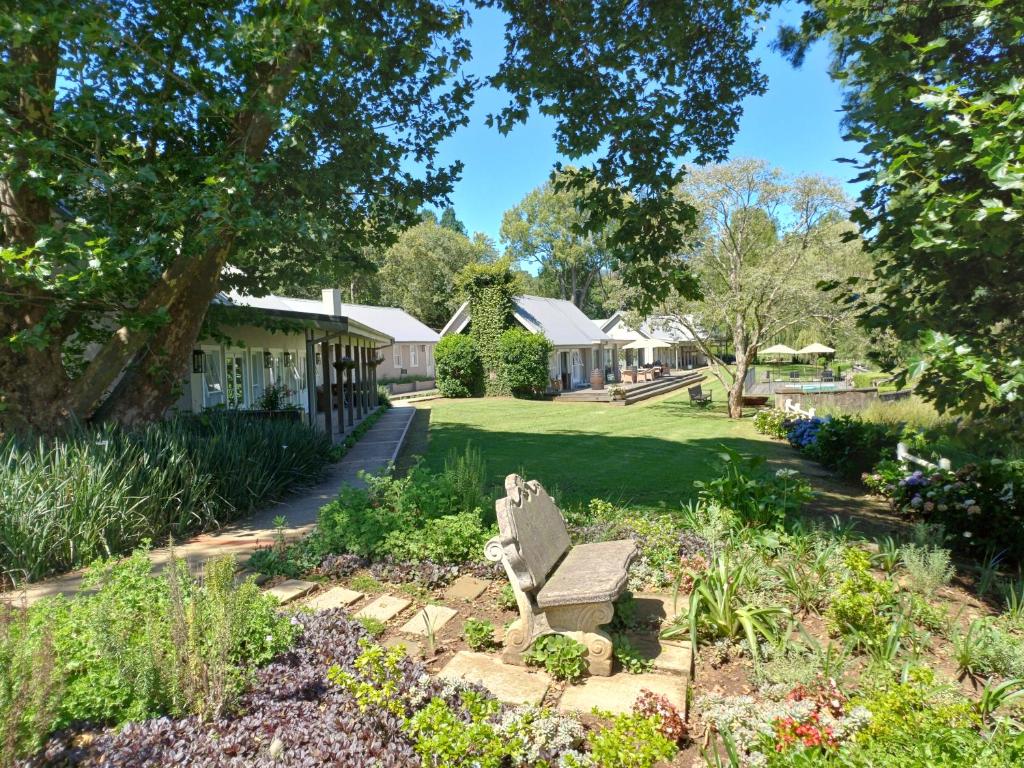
{"x": 532, "y": 531}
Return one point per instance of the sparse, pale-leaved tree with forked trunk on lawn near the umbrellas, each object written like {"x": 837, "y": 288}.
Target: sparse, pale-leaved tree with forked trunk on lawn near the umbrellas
{"x": 760, "y": 236}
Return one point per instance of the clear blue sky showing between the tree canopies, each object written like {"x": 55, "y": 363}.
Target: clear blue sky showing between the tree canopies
{"x": 795, "y": 126}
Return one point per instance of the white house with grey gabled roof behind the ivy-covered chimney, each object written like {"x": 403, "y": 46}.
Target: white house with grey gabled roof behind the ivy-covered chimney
{"x": 580, "y": 347}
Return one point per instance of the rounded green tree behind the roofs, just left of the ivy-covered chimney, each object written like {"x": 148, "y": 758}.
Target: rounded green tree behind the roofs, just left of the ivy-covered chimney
{"x": 418, "y": 274}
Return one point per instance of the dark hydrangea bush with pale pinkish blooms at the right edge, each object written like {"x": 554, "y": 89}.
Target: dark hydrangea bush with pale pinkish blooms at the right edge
{"x": 979, "y": 505}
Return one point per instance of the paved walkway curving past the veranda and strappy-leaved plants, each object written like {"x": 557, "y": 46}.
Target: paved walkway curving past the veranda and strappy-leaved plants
{"x": 378, "y": 447}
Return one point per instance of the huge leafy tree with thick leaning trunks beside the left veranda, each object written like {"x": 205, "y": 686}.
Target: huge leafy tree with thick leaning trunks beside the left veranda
{"x": 185, "y": 137}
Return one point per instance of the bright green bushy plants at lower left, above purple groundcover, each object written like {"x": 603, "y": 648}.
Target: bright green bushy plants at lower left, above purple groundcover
{"x": 142, "y": 646}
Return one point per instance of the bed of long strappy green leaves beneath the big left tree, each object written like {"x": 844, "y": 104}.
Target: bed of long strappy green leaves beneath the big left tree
{"x": 98, "y": 493}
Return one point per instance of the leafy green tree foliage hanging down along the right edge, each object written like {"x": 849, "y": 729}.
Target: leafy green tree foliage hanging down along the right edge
{"x": 934, "y": 97}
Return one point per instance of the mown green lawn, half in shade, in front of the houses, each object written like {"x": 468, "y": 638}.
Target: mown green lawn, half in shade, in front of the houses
{"x": 648, "y": 455}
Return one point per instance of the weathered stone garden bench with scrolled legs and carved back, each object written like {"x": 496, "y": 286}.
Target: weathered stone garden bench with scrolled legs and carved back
{"x": 560, "y": 589}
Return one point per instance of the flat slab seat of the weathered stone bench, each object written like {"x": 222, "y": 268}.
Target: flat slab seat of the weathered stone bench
{"x": 589, "y": 574}
